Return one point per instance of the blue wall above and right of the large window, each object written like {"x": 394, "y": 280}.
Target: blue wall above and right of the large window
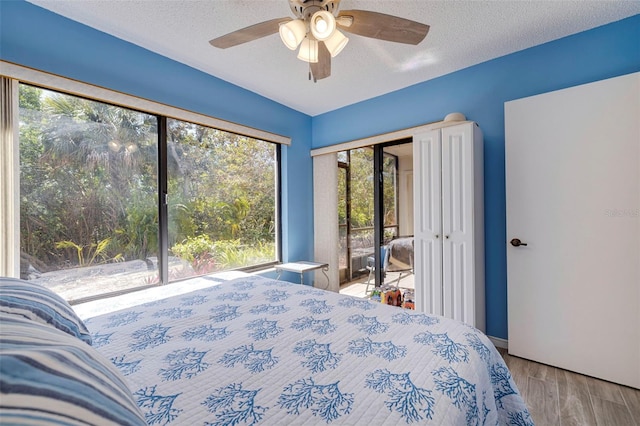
{"x": 36, "y": 38}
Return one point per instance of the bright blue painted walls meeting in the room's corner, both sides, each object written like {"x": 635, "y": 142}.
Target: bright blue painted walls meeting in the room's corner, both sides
{"x": 36, "y": 38}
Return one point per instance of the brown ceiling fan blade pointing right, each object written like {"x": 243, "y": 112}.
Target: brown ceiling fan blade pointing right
{"x": 384, "y": 27}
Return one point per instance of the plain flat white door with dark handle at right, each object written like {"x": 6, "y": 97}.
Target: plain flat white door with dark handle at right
{"x": 573, "y": 196}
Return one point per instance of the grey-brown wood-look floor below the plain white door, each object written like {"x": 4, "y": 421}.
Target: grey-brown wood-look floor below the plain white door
{"x": 559, "y": 397}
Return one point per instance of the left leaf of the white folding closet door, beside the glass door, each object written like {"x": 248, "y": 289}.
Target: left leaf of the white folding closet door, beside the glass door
{"x": 427, "y": 222}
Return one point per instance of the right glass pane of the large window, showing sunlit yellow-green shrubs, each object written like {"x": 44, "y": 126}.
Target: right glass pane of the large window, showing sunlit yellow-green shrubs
{"x": 222, "y": 200}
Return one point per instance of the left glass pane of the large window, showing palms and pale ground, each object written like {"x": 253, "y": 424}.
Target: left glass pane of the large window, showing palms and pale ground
{"x": 88, "y": 188}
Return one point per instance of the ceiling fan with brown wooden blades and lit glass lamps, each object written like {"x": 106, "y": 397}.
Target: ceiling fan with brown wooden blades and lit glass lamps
{"x": 315, "y": 30}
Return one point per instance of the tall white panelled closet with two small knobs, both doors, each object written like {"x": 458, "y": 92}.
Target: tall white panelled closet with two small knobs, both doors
{"x": 448, "y": 223}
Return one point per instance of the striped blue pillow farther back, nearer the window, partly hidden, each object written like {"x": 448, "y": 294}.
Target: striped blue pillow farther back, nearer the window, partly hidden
{"x": 38, "y": 303}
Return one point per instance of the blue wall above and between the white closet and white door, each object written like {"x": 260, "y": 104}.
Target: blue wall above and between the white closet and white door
{"x": 480, "y": 92}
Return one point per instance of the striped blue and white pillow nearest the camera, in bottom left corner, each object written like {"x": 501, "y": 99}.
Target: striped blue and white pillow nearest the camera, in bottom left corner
{"x": 49, "y": 377}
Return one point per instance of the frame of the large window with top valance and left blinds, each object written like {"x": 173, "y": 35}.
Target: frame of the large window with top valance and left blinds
{"x": 10, "y": 218}
